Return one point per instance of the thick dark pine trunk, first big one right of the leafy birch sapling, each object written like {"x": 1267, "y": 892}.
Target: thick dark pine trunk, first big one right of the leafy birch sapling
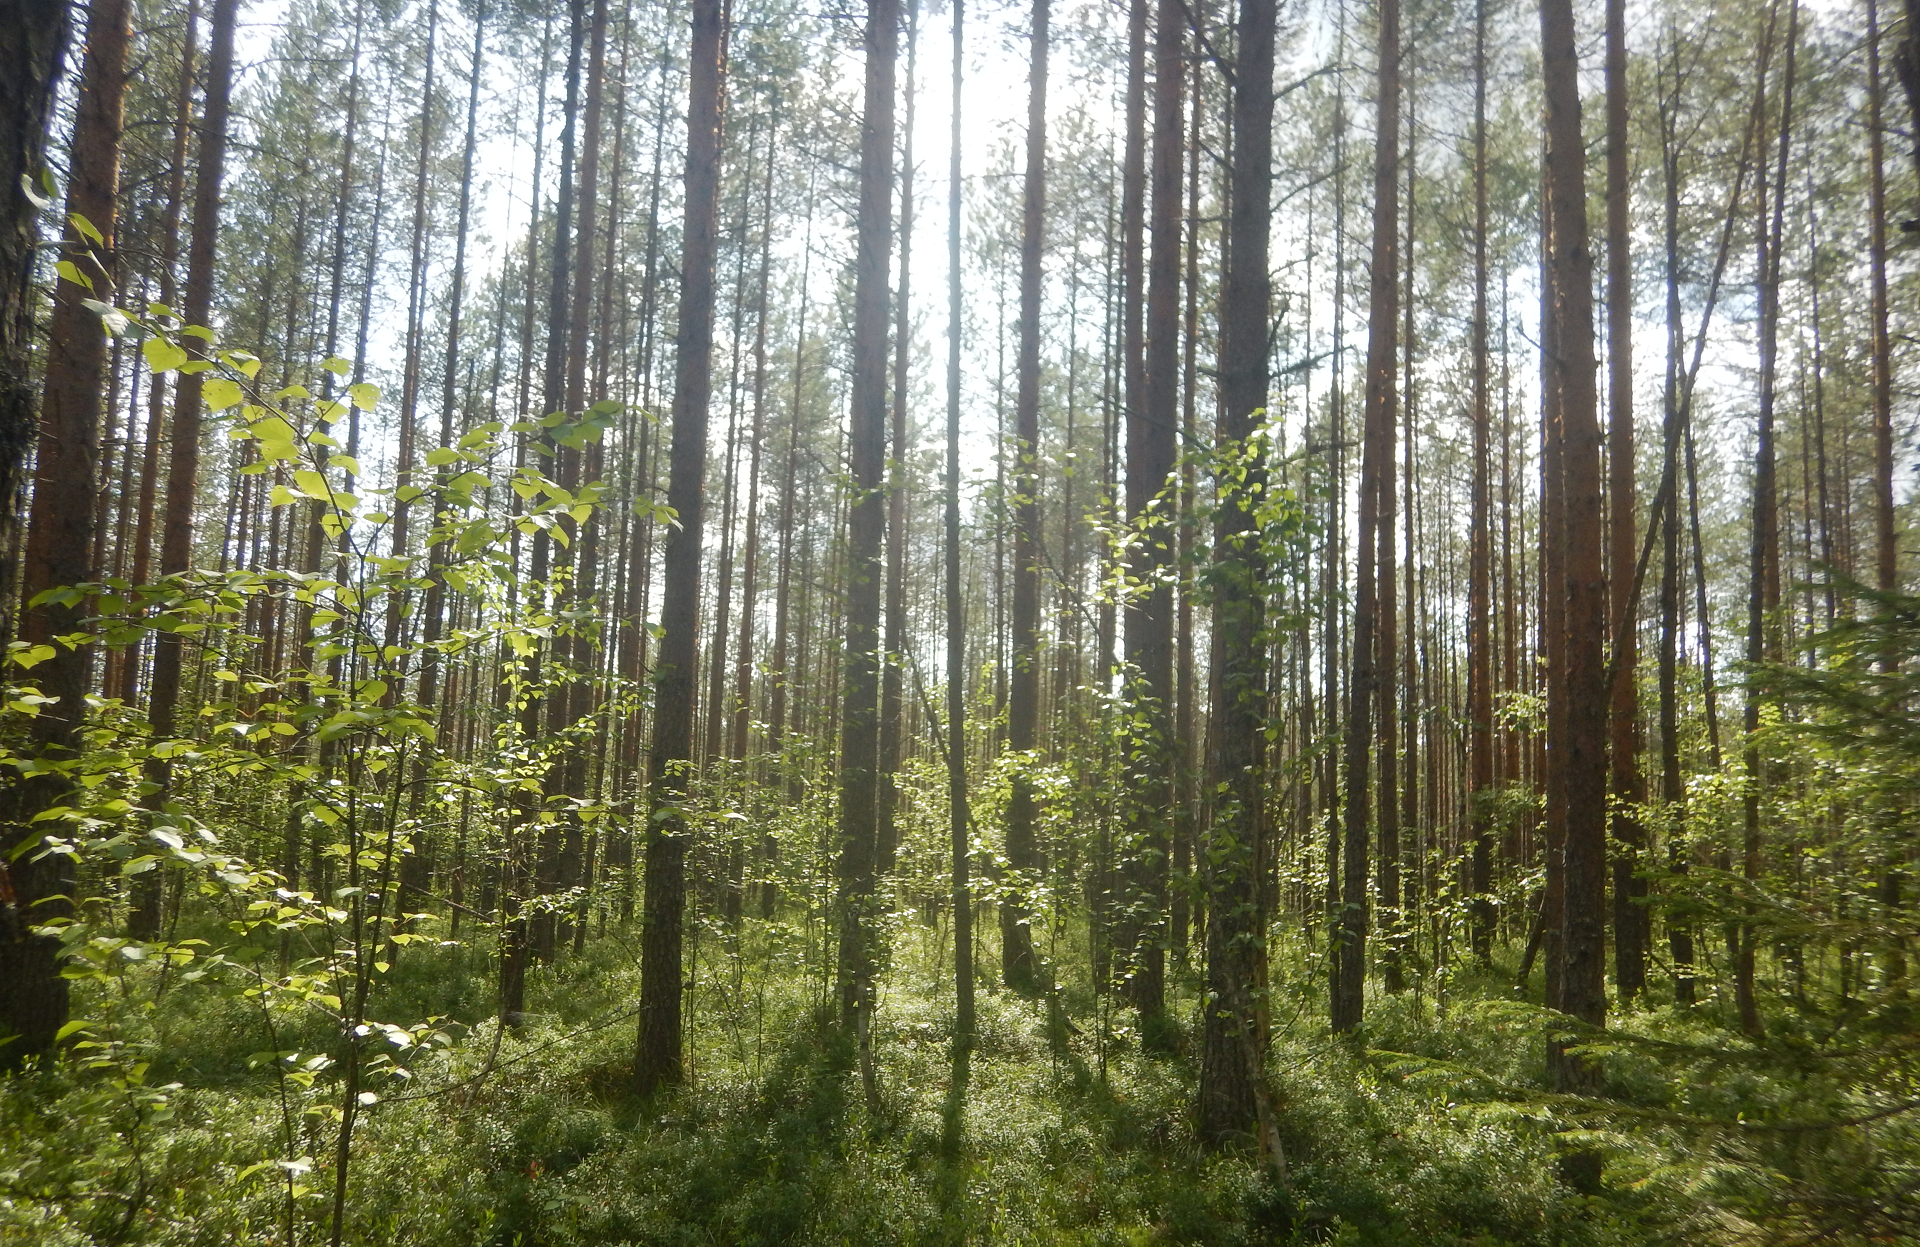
{"x": 671, "y": 762}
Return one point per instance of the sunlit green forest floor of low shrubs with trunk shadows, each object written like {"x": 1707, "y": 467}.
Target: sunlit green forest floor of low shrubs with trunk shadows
{"x": 1059, "y": 1131}
